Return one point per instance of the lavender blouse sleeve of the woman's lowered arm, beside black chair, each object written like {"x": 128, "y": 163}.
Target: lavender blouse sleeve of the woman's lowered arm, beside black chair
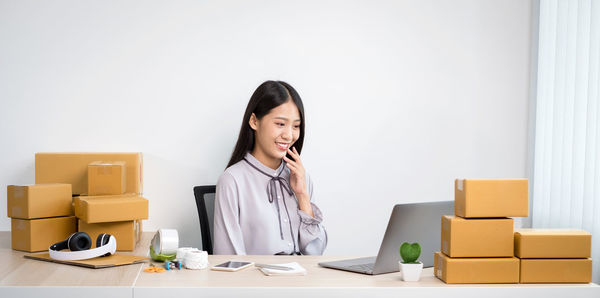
{"x": 228, "y": 238}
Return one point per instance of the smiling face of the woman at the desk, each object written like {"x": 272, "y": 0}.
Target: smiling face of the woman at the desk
{"x": 275, "y": 133}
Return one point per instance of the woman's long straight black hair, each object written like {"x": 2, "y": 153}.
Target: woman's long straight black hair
{"x": 267, "y": 96}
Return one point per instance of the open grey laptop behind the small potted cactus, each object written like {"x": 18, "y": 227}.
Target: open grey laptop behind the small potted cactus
{"x": 418, "y": 222}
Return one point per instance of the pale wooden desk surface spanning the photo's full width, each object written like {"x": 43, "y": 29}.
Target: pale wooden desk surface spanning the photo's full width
{"x": 20, "y": 276}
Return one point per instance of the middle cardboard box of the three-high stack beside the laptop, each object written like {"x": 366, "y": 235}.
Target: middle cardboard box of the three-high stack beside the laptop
{"x": 485, "y": 237}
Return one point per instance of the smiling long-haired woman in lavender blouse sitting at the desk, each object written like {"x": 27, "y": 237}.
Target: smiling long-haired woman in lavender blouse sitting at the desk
{"x": 264, "y": 198}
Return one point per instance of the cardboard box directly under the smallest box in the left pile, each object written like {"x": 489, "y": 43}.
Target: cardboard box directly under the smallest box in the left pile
{"x": 97, "y": 209}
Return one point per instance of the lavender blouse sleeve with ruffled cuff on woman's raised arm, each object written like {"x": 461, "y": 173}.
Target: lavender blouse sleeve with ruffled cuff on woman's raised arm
{"x": 312, "y": 233}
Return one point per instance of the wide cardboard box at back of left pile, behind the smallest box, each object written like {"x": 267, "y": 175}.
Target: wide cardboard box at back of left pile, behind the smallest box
{"x": 72, "y": 168}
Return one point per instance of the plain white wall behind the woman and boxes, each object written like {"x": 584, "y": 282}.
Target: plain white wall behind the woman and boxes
{"x": 401, "y": 97}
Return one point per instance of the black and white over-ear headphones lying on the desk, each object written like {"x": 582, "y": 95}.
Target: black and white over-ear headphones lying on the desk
{"x": 80, "y": 243}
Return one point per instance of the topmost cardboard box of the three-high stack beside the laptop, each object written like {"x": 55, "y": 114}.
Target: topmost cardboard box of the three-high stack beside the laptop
{"x": 491, "y": 198}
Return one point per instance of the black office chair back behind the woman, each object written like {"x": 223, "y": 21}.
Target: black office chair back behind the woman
{"x": 205, "y": 202}
